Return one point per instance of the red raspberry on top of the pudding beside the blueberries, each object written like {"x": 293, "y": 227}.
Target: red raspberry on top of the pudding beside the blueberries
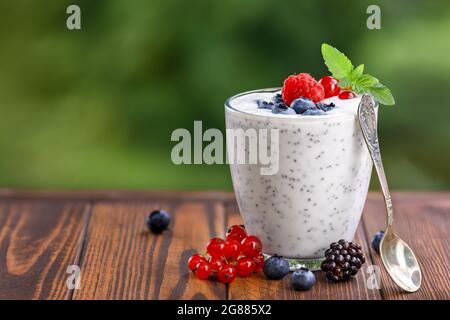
{"x": 302, "y": 85}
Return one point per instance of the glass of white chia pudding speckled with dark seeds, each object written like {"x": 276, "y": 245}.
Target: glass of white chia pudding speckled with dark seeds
{"x": 317, "y": 195}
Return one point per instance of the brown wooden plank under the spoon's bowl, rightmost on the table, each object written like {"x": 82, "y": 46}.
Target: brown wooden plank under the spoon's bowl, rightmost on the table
{"x": 423, "y": 221}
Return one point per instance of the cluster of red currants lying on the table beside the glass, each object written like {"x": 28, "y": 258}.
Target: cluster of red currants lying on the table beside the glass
{"x": 239, "y": 255}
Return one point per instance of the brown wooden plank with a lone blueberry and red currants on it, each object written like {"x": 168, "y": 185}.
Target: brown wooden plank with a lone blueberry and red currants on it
{"x": 123, "y": 260}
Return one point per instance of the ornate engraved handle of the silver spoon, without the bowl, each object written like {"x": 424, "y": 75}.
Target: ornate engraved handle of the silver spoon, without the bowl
{"x": 368, "y": 123}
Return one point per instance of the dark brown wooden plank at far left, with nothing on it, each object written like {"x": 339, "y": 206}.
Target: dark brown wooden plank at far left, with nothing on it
{"x": 38, "y": 242}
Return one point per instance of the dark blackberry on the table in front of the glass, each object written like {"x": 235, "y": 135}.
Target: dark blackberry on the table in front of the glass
{"x": 342, "y": 260}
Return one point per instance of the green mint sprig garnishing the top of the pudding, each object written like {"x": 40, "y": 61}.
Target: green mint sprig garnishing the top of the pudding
{"x": 343, "y": 70}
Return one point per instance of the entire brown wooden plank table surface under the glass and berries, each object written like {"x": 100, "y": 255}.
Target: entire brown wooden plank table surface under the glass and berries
{"x": 103, "y": 232}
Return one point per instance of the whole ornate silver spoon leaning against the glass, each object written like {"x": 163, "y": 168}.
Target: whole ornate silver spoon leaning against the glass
{"x": 397, "y": 256}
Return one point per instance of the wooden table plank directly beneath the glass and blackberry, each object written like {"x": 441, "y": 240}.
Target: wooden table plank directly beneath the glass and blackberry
{"x": 259, "y": 287}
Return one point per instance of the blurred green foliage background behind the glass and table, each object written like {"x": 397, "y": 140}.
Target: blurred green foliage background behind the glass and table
{"x": 95, "y": 108}
